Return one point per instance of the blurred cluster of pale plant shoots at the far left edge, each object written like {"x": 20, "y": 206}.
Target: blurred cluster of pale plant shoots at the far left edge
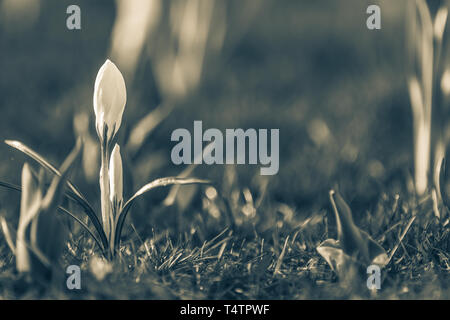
{"x": 35, "y": 251}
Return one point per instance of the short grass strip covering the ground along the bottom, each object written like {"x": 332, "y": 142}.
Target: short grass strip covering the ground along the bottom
{"x": 245, "y": 262}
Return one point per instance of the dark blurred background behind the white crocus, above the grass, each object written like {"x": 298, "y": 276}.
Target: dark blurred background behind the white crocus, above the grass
{"x": 335, "y": 89}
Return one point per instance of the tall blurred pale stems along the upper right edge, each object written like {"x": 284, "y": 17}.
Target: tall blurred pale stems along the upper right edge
{"x": 428, "y": 76}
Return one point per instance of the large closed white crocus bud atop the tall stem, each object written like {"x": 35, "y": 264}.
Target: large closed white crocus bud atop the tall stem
{"x": 110, "y": 96}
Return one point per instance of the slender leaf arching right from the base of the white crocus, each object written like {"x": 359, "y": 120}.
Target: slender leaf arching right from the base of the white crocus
{"x": 162, "y": 182}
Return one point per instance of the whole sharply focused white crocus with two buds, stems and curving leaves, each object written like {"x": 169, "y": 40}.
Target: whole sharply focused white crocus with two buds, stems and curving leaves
{"x": 109, "y": 104}
